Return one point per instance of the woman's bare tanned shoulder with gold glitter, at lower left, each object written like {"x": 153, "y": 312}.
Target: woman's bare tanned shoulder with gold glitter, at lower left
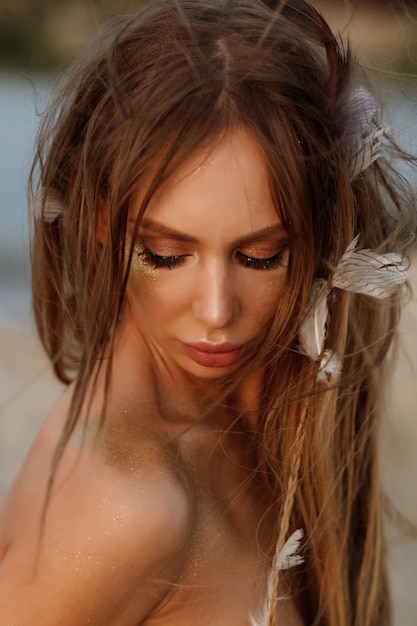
{"x": 114, "y": 537}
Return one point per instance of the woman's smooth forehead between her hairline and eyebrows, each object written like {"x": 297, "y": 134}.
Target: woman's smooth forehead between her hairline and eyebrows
{"x": 227, "y": 184}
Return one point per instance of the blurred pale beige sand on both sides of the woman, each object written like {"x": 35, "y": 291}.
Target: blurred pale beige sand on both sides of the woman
{"x": 28, "y": 390}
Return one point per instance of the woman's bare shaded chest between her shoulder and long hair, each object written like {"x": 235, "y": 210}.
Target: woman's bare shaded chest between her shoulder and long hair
{"x": 224, "y": 577}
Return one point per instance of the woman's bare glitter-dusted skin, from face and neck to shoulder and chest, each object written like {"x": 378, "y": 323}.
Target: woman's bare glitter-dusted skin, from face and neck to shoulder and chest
{"x": 156, "y": 520}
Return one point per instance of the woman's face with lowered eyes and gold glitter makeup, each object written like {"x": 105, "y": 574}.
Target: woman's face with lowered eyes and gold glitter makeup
{"x": 209, "y": 261}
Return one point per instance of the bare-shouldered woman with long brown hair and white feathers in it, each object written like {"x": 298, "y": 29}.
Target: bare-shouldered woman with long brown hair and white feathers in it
{"x": 209, "y": 180}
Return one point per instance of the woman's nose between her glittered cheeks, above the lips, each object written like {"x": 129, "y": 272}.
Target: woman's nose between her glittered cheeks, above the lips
{"x": 216, "y": 303}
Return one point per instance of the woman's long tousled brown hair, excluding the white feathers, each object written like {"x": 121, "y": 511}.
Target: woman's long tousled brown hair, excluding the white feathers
{"x": 155, "y": 88}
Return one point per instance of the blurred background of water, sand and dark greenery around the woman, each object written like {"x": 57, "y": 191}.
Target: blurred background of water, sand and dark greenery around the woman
{"x": 38, "y": 39}
